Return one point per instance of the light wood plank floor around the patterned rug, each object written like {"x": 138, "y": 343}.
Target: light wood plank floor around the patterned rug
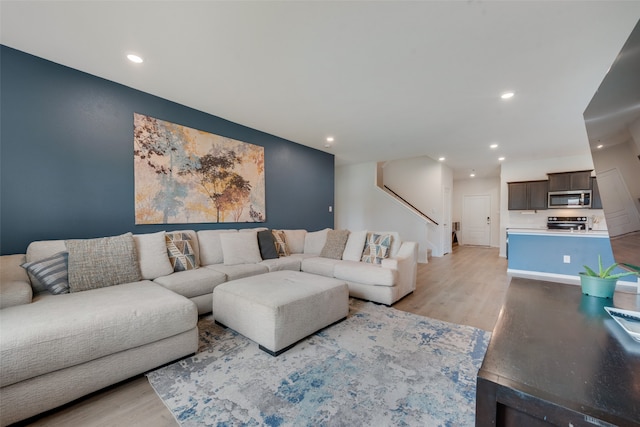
{"x": 465, "y": 287}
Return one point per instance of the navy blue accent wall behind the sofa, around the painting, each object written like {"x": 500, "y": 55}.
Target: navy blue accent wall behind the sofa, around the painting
{"x": 66, "y": 158}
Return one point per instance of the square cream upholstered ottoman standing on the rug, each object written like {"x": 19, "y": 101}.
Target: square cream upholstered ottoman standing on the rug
{"x": 280, "y": 308}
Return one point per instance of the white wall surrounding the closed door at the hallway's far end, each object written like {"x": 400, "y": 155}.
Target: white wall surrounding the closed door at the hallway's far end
{"x": 477, "y": 187}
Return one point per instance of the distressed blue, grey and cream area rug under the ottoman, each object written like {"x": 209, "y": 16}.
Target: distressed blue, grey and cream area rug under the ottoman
{"x": 379, "y": 367}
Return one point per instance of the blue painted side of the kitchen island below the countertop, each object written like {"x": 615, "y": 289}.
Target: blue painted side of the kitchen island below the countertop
{"x": 545, "y": 253}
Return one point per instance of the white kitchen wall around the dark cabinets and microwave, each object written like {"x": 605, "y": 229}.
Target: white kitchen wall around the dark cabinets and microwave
{"x": 537, "y": 170}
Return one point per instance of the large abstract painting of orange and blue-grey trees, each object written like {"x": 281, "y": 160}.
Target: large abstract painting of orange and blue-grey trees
{"x": 185, "y": 175}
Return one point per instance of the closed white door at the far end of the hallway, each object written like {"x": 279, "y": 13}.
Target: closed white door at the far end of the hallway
{"x": 476, "y": 220}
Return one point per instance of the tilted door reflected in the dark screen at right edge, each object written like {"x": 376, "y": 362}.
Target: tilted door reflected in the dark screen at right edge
{"x": 619, "y": 209}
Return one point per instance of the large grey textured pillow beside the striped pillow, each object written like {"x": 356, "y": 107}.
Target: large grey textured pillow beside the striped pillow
{"x": 101, "y": 262}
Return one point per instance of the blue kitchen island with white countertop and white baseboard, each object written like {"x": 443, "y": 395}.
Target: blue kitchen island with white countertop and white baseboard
{"x": 559, "y": 255}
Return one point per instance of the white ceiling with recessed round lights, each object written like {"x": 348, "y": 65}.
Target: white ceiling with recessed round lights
{"x": 387, "y": 79}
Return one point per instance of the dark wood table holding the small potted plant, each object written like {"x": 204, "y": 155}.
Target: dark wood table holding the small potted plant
{"x": 557, "y": 358}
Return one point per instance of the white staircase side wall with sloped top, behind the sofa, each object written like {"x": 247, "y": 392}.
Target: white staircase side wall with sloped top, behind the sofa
{"x": 361, "y": 205}
